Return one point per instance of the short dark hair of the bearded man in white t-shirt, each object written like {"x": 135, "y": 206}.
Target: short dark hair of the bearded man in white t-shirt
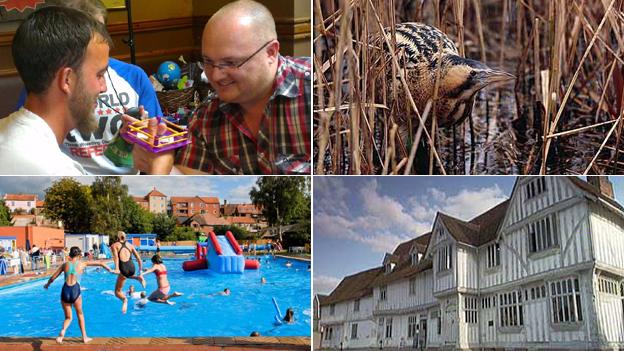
{"x": 51, "y": 38}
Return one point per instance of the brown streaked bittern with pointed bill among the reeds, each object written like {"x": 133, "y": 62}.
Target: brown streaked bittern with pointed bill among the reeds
{"x": 428, "y": 55}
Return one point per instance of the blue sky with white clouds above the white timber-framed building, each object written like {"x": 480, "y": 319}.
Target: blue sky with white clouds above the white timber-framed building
{"x": 358, "y": 219}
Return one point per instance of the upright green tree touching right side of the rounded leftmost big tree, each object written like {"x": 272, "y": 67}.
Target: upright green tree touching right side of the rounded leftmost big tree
{"x": 108, "y": 196}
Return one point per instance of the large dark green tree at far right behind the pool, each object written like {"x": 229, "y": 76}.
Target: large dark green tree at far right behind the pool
{"x": 282, "y": 199}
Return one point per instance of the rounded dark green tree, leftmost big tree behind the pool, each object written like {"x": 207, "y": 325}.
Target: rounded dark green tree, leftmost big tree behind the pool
{"x": 68, "y": 201}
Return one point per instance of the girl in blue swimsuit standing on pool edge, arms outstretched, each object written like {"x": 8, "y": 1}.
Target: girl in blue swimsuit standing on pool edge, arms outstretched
{"x": 70, "y": 293}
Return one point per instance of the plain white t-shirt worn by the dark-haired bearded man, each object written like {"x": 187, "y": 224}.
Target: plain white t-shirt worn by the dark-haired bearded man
{"x": 28, "y": 146}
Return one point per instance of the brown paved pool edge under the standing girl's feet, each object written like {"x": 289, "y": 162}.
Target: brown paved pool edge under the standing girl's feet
{"x": 158, "y": 344}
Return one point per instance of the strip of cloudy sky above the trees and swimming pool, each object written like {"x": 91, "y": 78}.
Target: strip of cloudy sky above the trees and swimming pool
{"x": 234, "y": 189}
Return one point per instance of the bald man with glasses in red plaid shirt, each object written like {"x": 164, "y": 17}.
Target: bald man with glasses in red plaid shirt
{"x": 260, "y": 122}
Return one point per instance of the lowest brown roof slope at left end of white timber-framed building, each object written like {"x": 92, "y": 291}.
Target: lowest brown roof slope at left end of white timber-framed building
{"x": 353, "y": 287}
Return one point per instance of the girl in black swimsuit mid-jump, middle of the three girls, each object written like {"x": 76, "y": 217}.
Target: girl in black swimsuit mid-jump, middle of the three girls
{"x": 124, "y": 266}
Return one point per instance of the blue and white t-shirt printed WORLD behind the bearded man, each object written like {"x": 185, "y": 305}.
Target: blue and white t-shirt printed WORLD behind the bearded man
{"x": 126, "y": 85}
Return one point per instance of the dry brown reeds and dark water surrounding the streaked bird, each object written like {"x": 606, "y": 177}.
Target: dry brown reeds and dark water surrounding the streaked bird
{"x": 563, "y": 115}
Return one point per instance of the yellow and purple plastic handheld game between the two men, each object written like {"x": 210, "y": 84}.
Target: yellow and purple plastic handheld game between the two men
{"x": 139, "y": 133}
